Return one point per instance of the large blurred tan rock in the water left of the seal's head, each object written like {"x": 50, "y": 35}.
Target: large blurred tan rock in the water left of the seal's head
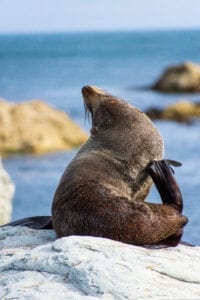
{"x": 35, "y": 127}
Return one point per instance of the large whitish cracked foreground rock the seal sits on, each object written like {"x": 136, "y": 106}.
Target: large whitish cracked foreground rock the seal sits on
{"x": 33, "y": 265}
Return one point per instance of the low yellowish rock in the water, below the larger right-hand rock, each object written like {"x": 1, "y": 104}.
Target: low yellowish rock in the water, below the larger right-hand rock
{"x": 182, "y": 111}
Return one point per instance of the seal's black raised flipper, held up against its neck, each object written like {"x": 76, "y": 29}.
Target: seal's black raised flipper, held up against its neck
{"x": 162, "y": 175}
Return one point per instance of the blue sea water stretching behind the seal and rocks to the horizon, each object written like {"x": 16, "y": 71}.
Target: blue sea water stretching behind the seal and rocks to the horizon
{"x": 54, "y": 67}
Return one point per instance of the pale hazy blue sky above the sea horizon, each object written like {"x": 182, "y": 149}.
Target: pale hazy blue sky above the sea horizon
{"x": 73, "y": 15}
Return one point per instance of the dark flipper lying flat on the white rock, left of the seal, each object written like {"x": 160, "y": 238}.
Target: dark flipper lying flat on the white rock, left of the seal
{"x": 40, "y": 222}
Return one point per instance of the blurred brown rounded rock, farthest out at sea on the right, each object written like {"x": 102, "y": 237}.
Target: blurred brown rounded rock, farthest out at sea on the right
{"x": 179, "y": 78}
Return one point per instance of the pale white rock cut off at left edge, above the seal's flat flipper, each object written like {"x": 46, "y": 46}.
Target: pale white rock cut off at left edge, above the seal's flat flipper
{"x": 6, "y": 194}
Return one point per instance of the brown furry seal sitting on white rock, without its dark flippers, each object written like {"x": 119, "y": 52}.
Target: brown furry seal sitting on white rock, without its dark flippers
{"x": 102, "y": 191}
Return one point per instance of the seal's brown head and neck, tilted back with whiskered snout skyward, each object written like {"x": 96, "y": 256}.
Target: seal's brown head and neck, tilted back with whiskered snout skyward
{"x": 120, "y": 127}
